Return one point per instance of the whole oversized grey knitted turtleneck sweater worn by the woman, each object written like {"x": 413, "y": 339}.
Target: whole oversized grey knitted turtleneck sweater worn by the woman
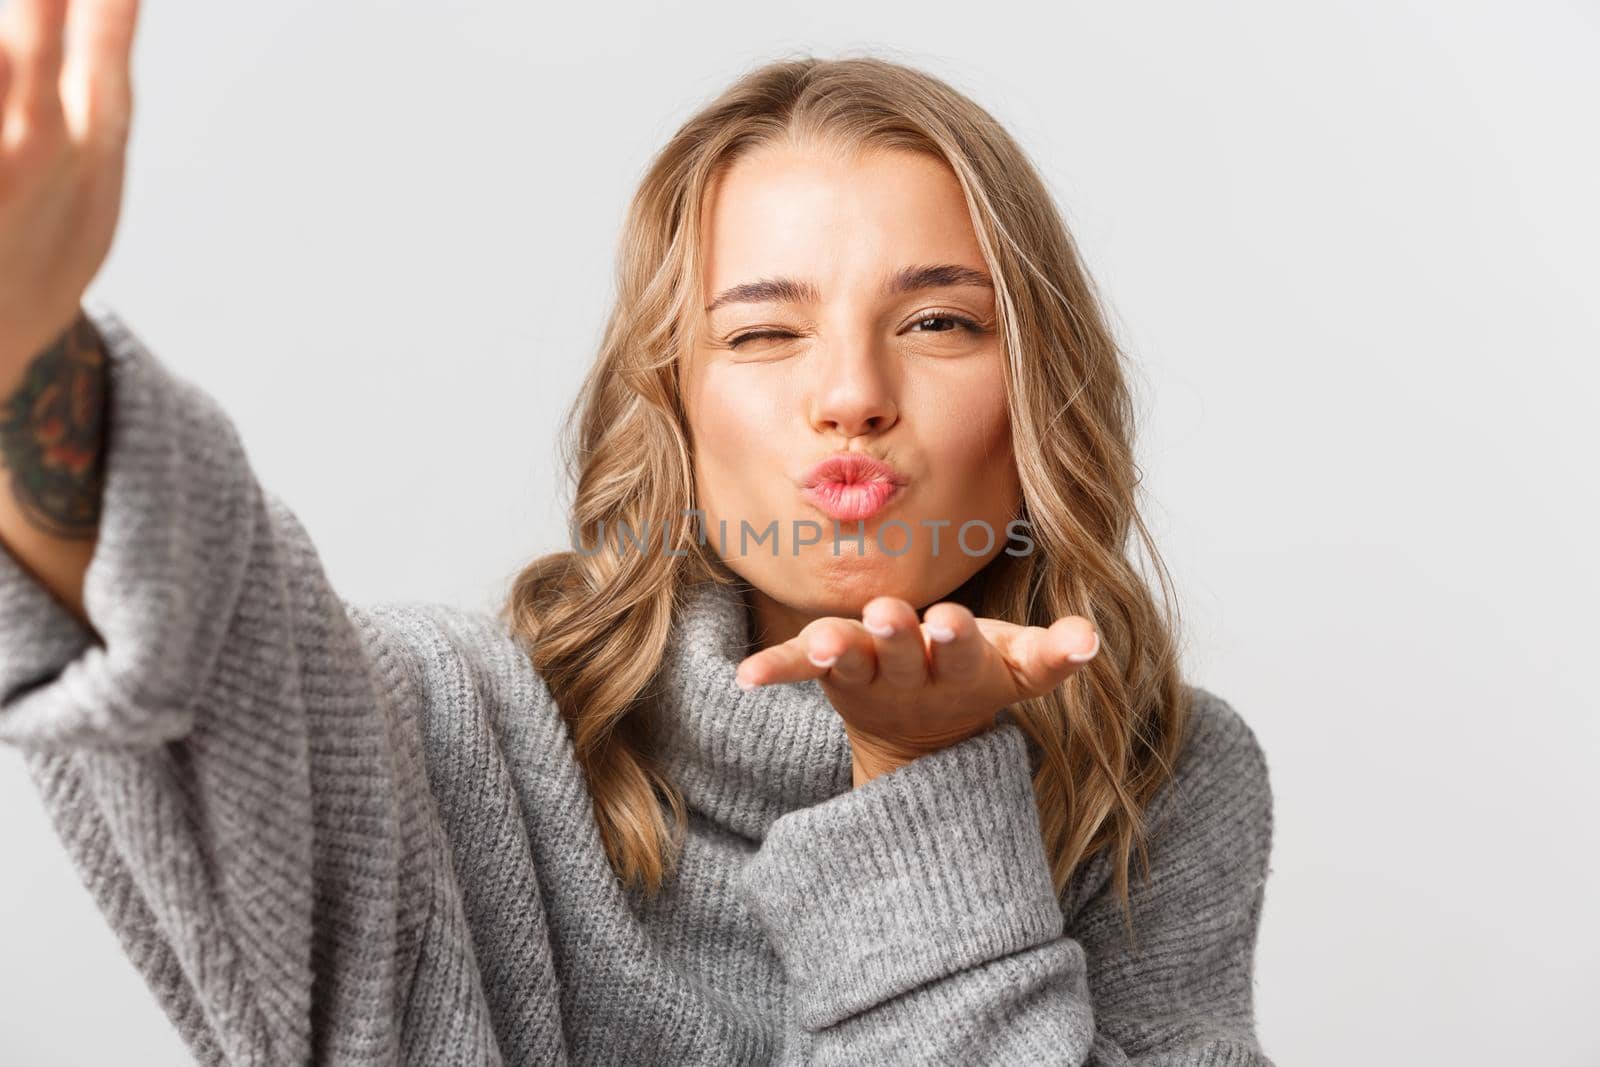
{"x": 346, "y": 834}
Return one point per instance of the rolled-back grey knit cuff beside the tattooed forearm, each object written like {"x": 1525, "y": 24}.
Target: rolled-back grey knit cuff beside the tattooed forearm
{"x": 174, "y": 543}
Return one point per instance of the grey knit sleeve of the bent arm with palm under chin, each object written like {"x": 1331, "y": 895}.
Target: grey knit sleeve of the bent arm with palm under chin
{"x": 918, "y": 922}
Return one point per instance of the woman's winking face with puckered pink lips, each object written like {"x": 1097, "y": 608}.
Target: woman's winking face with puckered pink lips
{"x": 849, "y": 346}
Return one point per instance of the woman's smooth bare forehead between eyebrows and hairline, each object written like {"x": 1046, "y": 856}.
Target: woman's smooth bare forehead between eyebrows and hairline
{"x": 818, "y": 215}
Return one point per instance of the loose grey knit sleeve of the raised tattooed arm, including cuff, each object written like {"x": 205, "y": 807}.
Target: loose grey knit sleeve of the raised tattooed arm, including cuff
{"x": 231, "y": 770}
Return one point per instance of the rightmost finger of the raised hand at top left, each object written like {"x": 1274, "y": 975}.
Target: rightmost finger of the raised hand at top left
{"x": 98, "y": 82}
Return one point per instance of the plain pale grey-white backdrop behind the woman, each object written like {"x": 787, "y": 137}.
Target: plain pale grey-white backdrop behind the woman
{"x": 1351, "y": 249}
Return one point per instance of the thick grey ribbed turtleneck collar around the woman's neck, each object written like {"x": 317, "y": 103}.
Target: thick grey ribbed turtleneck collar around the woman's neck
{"x": 742, "y": 759}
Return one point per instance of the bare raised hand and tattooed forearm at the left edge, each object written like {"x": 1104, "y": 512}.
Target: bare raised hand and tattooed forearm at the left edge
{"x": 63, "y": 146}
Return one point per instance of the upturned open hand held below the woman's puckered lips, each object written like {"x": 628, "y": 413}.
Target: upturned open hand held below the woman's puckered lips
{"x": 906, "y": 689}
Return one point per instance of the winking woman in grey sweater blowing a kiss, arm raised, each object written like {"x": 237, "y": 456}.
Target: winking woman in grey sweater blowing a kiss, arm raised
{"x": 758, "y": 770}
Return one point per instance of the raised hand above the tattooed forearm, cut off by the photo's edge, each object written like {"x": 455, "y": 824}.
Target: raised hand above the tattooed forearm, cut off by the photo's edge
{"x": 66, "y": 108}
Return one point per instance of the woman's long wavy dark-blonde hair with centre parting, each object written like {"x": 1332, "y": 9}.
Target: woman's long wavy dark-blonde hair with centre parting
{"x": 598, "y": 626}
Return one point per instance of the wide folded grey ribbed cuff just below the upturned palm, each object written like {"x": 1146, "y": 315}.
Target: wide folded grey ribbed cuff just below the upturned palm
{"x": 911, "y": 877}
